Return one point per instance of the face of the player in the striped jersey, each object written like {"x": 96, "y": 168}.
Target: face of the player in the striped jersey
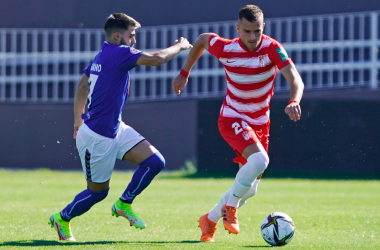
{"x": 250, "y": 32}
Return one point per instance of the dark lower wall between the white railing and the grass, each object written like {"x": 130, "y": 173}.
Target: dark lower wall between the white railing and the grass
{"x": 337, "y": 135}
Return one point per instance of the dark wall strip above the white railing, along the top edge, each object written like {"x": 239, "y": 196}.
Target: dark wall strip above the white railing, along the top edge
{"x": 92, "y": 14}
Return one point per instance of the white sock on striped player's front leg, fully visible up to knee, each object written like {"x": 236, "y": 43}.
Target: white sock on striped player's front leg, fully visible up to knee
{"x": 256, "y": 163}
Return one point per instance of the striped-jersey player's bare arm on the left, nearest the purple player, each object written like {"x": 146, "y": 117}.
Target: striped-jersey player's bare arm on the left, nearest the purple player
{"x": 180, "y": 81}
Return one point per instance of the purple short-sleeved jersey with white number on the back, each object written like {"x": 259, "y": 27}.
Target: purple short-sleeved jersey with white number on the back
{"x": 108, "y": 77}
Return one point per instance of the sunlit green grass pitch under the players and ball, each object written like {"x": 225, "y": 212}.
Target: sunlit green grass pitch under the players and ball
{"x": 327, "y": 214}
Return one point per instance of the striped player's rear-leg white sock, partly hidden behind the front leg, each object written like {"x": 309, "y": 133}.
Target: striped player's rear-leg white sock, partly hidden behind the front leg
{"x": 216, "y": 214}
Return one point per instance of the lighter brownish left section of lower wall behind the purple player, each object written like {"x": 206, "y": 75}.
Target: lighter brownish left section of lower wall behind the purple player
{"x": 37, "y": 136}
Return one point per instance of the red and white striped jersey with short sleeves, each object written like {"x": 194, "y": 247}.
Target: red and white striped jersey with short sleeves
{"x": 250, "y": 76}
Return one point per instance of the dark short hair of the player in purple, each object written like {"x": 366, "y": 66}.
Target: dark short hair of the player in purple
{"x": 119, "y": 22}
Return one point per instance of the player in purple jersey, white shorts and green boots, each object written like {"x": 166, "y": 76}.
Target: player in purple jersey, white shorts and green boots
{"x": 101, "y": 136}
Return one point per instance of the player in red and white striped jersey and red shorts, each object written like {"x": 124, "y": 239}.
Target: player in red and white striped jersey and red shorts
{"x": 250, "y": 63}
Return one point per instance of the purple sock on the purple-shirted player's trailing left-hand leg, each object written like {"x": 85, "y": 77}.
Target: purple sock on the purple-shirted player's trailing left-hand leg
{"x": 82, "y": 203}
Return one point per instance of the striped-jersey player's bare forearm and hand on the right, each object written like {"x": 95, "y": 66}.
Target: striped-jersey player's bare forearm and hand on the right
{"x": 293, "y": 109}
